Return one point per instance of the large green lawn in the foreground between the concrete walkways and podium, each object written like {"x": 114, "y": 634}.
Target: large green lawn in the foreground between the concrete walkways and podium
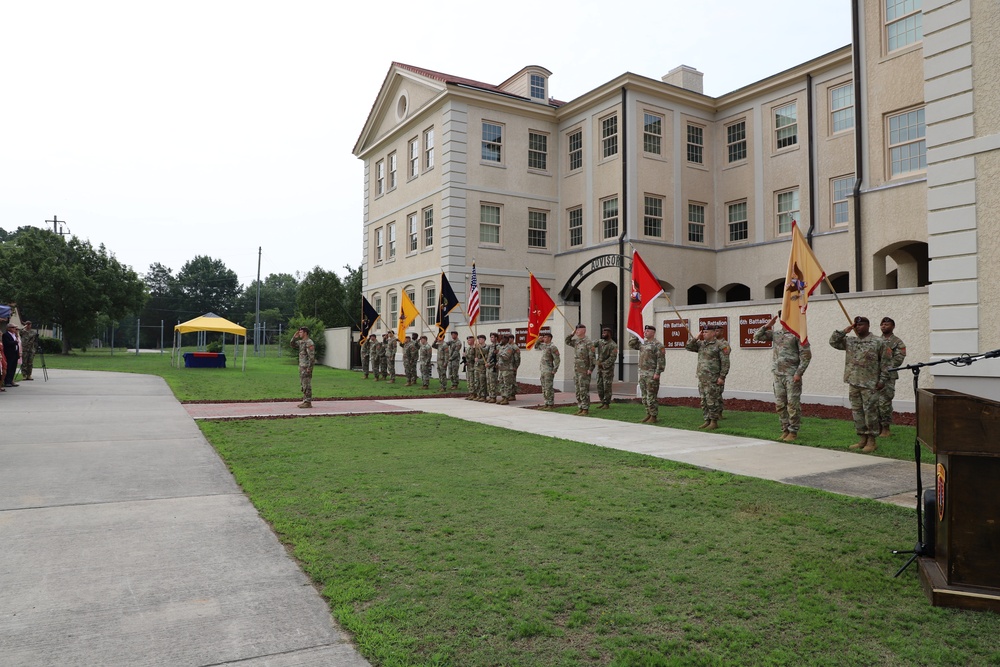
{"x": 442, "y": 542}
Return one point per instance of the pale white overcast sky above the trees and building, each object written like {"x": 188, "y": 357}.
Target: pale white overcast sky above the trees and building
{"x": 167, "y": 130}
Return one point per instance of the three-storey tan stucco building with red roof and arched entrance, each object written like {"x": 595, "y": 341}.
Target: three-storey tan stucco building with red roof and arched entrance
{"x": 879, "y": 151}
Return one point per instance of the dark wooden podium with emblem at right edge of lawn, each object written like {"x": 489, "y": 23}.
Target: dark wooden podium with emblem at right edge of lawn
{"x": 963, "y": 431}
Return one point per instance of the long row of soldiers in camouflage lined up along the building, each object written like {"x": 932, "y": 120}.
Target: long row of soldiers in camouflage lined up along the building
{"x": 491, "y": 370}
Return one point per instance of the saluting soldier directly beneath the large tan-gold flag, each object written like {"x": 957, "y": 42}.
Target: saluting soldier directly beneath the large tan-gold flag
{"x": 789, "y": 361}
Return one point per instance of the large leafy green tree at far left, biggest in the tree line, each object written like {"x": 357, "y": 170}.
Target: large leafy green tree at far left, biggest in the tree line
{"x": 68, "y": 283}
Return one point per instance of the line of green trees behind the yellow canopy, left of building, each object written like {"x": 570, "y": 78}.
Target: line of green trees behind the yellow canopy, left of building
{"x": 85, "y": 290}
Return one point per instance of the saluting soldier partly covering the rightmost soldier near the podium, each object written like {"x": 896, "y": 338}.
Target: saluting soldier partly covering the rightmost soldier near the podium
{"x": 866, "y": 365}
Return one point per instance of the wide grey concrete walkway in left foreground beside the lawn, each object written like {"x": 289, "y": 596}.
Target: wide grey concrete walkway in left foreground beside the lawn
{"x": 125, "y": 541}
